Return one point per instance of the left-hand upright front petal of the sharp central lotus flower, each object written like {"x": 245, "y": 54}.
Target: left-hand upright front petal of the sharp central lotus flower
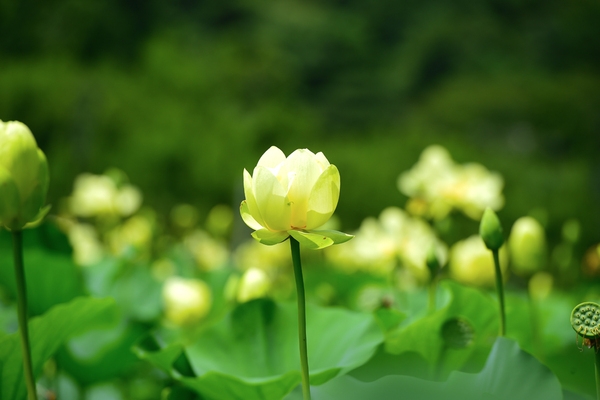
{"x": 273, "y": 204}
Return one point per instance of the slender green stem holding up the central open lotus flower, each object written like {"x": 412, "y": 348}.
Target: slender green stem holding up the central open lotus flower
{"x": 301, "y": 317}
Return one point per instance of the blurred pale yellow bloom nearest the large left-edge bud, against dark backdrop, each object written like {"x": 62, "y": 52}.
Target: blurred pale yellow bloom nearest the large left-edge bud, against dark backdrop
{"x": 95, "y": 195}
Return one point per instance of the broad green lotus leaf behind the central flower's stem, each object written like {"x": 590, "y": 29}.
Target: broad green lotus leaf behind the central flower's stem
{"x": 253, "y": 352}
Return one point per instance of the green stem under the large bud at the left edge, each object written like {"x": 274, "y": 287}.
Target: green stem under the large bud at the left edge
{"x": 22, "y": 310}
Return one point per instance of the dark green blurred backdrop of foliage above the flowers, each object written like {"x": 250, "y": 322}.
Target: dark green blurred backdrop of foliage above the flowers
{"x": 183, "y": 95}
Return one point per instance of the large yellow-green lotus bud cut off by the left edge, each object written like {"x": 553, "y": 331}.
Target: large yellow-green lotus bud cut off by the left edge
{"x": 23, "y": 176}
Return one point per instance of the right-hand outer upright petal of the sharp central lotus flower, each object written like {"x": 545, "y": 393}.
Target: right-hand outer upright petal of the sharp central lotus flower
{"x": 323, "y": 198}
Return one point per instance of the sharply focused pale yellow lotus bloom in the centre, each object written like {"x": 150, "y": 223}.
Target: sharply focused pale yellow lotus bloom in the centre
{"x": 292, "y": 196}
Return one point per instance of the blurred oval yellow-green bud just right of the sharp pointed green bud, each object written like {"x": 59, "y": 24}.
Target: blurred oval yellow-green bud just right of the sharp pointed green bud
{"x": 527, "y": 246}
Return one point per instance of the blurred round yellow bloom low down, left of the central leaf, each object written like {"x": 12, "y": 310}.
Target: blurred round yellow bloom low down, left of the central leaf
{"x": 186, "y": 301}
